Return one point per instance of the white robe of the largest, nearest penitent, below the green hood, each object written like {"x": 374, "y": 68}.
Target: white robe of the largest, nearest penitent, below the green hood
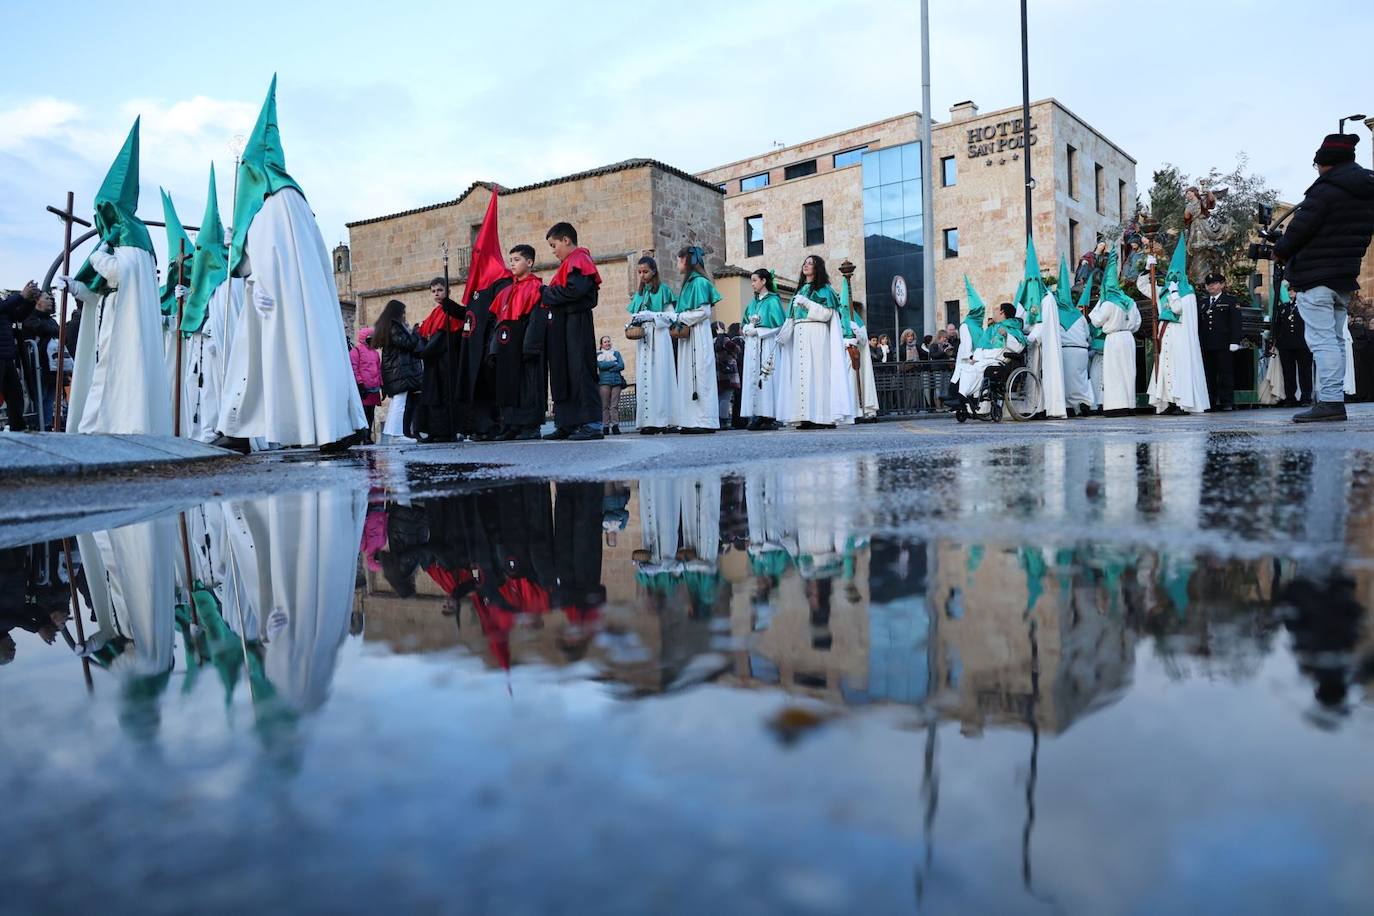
{"x": 289, "y": 377}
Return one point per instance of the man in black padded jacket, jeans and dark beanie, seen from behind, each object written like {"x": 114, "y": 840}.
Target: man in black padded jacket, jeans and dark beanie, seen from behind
{"x": 1324, "y": 247}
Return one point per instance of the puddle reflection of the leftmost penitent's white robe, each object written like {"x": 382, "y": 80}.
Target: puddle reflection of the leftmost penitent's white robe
{"x": 130, "y": 572}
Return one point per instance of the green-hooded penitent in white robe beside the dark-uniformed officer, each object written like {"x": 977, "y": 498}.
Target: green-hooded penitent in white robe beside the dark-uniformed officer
{"x": 1178, "y": 381}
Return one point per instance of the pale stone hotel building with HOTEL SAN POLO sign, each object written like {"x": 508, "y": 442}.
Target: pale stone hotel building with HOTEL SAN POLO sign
{"x": 858, "y": 196}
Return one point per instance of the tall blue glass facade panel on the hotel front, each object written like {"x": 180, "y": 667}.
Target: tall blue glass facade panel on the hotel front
{"x": 894, "y": 237}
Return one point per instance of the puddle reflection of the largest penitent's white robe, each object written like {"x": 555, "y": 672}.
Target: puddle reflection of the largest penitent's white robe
{"x": 302, "y": 577}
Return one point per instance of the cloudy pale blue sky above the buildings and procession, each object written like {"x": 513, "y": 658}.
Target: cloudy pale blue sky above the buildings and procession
{"x": 391, "y": 106}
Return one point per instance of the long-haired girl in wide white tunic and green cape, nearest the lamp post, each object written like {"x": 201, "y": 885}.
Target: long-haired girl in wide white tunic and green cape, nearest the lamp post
{"x": 820, "y": 393}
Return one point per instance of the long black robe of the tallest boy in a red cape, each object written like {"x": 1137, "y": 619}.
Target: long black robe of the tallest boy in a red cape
{"x": 572, "y": 352}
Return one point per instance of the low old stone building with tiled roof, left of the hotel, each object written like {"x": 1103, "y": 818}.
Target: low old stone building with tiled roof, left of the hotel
{"x": 622, "y": 212}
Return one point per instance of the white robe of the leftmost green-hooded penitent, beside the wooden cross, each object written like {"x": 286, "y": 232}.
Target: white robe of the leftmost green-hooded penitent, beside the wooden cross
{"x": 120, "y": 381}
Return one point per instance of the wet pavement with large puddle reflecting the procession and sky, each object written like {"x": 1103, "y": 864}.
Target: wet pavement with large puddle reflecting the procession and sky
{"x": 1016, "y": 671}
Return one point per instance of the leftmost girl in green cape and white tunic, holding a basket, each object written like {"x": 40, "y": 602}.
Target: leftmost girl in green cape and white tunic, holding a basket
{"x": 656, "y": 374}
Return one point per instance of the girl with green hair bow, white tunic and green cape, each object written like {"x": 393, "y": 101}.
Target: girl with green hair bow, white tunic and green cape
{"x": 697, "y": 402}
